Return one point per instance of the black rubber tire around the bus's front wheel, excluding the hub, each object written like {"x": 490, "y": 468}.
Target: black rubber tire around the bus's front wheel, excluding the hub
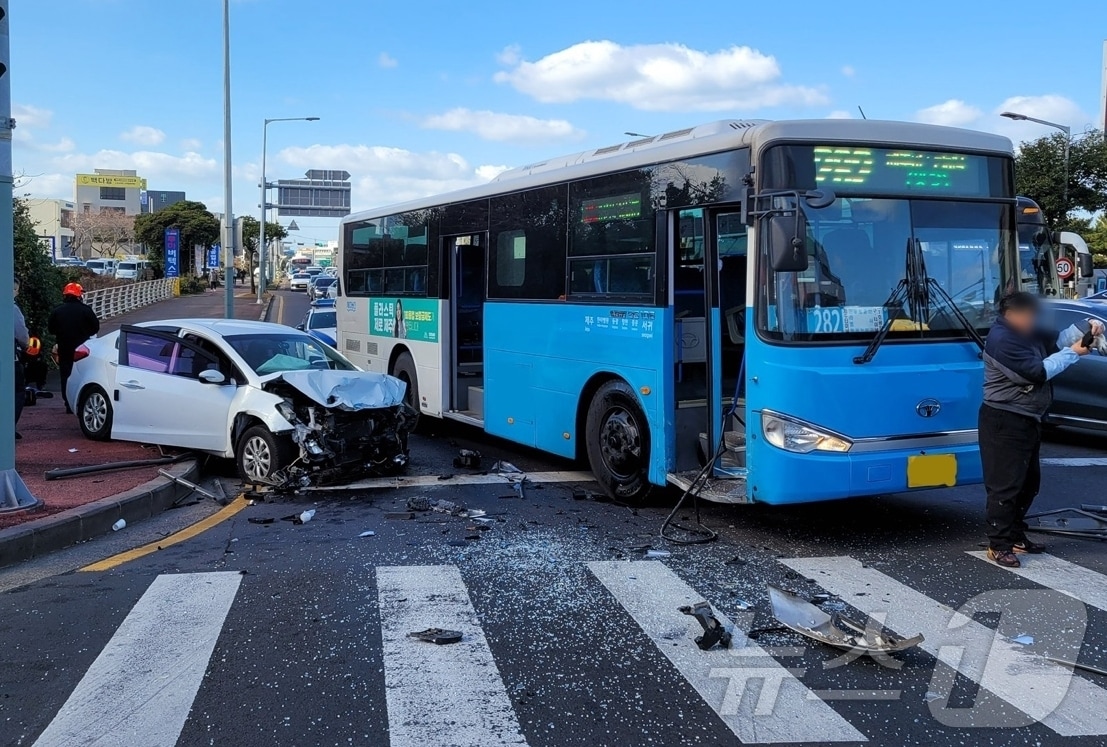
{"x": 634, "y": 484}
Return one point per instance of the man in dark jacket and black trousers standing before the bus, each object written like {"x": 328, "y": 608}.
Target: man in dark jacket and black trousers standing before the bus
{"x": 1019, "y": 364}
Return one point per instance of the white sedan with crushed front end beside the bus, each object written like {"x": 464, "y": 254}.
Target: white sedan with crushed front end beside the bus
{"x": 292, "y": 412}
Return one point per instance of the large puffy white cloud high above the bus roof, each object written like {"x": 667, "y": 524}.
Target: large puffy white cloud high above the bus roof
{"x": 658, "y": 78}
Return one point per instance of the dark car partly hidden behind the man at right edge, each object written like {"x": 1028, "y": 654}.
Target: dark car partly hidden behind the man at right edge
{"x": 1080, "y": 395}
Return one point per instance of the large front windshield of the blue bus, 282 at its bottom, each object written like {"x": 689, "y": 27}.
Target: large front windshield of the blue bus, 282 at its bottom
{"x": 857, "y": 254}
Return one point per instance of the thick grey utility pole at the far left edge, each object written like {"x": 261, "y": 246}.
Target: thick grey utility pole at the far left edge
{"x": 14, "y": 493}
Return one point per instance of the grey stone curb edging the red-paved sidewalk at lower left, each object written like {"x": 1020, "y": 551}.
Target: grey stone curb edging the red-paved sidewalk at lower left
{"x": 85, "y": 523}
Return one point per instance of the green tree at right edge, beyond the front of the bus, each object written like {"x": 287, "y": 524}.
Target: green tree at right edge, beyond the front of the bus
{"x": 1040, "y": 170}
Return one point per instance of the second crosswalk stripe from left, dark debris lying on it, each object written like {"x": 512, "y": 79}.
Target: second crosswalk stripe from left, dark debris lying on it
{"x": 440, "y": 696}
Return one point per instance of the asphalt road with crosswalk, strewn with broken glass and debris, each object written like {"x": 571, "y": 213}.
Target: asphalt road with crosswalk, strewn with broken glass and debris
{"x": 276, "y": 634}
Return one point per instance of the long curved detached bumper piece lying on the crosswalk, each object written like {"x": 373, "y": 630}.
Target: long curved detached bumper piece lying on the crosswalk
{"x": 835, "y": 630}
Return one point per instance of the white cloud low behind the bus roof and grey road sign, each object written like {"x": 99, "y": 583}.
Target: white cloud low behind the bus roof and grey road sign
{"x": 385, "y": 175}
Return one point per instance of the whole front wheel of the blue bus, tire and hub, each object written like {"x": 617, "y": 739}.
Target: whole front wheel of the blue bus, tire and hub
{"x": 619, "y": 442}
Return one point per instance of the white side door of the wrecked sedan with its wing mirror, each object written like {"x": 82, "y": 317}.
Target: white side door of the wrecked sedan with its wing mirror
{"x": 160, "y": 398}
